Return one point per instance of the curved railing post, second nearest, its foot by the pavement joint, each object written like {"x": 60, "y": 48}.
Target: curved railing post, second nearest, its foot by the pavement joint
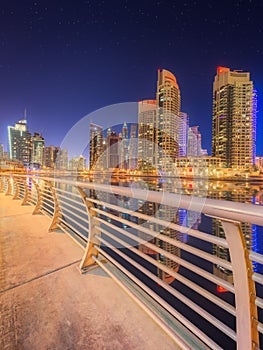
{"x": 87, "y": 262}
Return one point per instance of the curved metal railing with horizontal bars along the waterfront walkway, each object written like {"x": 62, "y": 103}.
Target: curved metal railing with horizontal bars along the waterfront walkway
{"x": 175, "y": 272}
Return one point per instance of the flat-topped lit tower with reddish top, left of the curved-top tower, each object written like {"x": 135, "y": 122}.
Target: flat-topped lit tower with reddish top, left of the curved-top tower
{"x": 147, "y": 134}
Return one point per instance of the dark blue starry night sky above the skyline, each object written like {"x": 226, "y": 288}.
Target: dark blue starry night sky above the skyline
{"x": 62, "y": 60}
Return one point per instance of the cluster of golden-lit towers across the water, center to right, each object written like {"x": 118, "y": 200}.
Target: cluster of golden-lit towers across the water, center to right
{"x": 166, "y": 142}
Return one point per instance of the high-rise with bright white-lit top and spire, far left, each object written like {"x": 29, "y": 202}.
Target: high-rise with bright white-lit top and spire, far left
{"x": 20, "y": 142}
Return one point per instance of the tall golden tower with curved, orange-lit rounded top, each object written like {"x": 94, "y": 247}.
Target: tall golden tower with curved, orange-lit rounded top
{"x": 168, "y": 102}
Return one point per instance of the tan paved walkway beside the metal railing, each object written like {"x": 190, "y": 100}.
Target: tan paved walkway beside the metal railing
{"x": 45, "y": 303}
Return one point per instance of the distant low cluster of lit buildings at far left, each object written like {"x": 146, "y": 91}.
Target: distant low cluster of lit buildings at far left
{"x": 30, "y": 150}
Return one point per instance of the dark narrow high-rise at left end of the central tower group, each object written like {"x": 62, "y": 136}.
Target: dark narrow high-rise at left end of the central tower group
{"x": 96, "y": 146}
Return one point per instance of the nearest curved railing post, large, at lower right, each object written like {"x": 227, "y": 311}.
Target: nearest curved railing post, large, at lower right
{"x": 245, "y": 290}
